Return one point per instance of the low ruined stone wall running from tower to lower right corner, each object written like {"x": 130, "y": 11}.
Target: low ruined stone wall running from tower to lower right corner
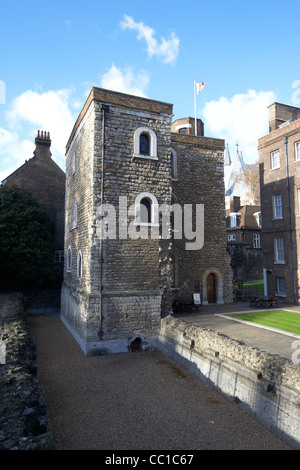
{"x": 266, "y": 386}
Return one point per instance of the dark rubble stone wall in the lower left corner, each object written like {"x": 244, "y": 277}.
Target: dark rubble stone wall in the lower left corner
{"x": 23, "y": 411}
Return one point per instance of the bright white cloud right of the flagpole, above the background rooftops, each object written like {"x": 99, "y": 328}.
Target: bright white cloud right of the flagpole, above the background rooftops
{"x": 242, "y": 120}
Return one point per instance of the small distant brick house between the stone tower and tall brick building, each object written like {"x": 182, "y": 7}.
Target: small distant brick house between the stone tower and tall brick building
{"x": 243, "y": 234}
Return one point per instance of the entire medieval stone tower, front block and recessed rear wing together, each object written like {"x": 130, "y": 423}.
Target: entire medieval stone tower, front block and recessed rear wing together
{"x": 126, "y": 261}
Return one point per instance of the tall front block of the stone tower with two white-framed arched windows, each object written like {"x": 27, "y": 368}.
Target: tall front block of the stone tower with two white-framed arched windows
{"x": 118, "y": 159}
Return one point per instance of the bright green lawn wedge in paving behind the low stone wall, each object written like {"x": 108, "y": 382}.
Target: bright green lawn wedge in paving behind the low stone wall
{"x": 280, "y": 319}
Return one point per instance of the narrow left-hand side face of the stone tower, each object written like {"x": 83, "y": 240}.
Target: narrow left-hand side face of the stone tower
{"x": 75, "y": 303}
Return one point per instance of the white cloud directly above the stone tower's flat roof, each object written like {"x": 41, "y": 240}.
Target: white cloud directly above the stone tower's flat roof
{"x": 125, "y": 82}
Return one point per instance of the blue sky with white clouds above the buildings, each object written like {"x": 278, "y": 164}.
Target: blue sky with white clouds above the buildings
{"x": 52, "y": 53}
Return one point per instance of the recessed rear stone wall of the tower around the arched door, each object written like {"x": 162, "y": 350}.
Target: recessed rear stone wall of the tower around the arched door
{"x": 200, "y": 180}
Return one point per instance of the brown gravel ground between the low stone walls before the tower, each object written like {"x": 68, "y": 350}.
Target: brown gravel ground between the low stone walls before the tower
{"x": 134, "y": 401}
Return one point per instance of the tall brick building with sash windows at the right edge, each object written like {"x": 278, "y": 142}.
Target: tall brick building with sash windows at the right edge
{"x": 279, "y": 161}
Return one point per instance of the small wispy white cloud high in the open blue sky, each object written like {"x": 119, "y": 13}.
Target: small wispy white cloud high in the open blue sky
{"x": 167, "y": 50}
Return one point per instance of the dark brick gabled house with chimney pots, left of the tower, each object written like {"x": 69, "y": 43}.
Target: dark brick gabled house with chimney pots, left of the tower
{"x": 41, "y": 177}
